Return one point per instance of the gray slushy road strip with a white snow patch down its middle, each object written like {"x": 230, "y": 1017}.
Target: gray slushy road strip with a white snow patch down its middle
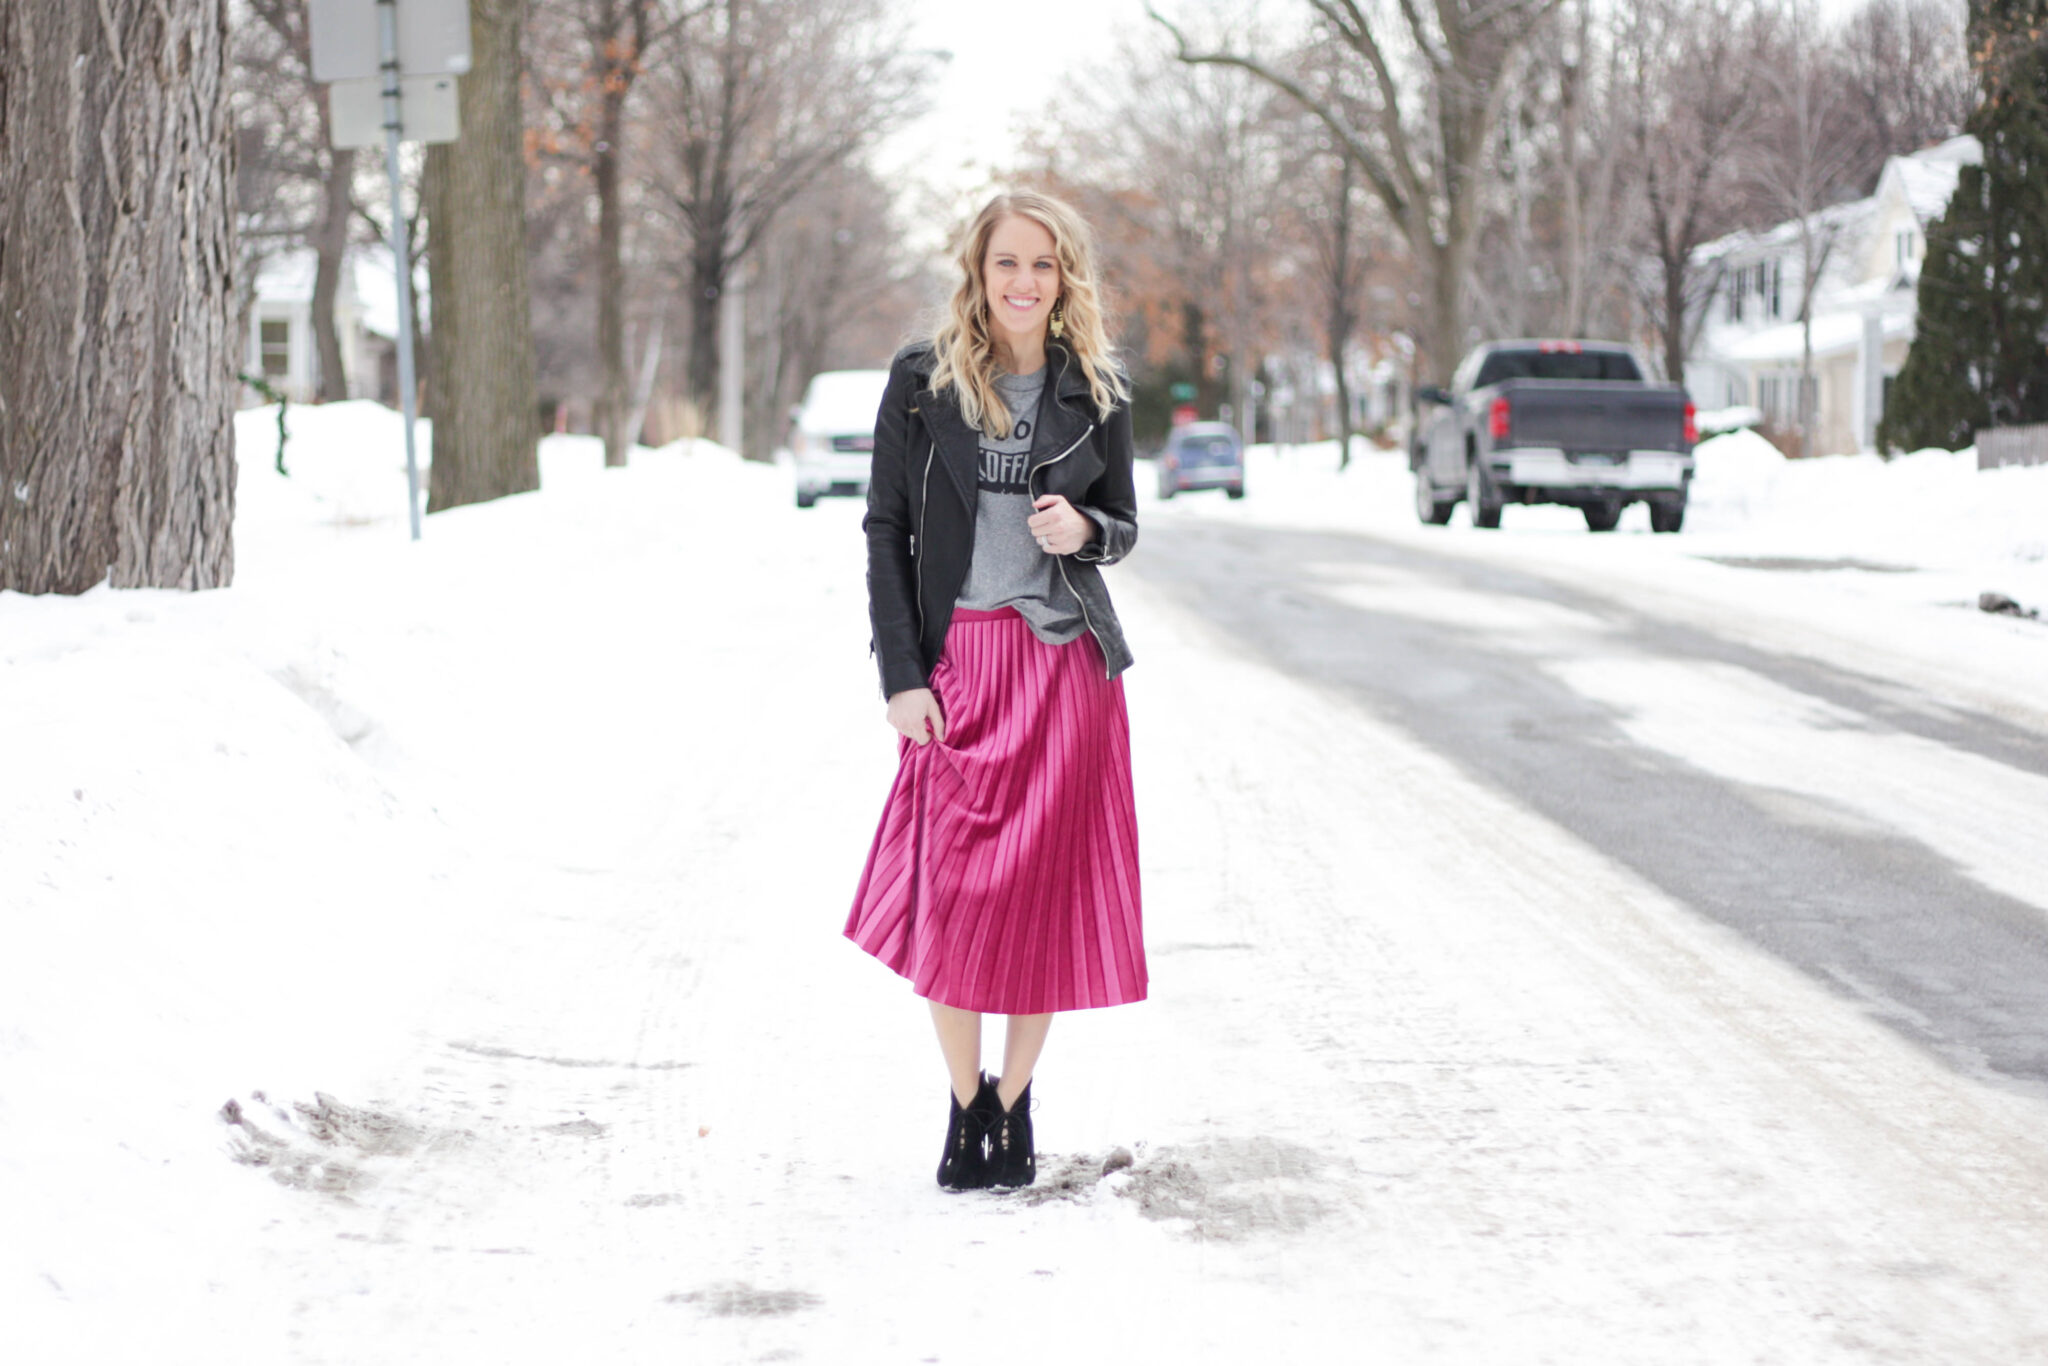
{"x": 1889, "y": 845}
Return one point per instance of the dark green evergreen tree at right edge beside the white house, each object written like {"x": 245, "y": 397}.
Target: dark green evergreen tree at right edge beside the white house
{"x": 1981, "y": 349}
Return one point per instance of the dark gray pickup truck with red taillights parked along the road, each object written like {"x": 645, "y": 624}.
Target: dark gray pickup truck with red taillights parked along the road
{"x": 1568, "y": 423}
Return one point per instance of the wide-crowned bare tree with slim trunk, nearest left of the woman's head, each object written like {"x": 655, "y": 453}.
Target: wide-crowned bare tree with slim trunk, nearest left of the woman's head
{"x": 757, "y": 101}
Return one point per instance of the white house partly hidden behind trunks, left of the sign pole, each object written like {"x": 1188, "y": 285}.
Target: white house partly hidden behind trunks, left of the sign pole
{"x": 282, "y": 327}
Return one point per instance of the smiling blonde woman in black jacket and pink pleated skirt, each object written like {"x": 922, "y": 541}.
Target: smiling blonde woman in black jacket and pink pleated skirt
{"x": 1005, "y": 878}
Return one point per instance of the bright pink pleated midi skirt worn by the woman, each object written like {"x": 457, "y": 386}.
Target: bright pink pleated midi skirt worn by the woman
{"x": 1005, "y": 876}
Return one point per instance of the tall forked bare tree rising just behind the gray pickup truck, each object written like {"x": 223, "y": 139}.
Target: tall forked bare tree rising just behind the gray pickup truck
{"x": 1420, "y": 144}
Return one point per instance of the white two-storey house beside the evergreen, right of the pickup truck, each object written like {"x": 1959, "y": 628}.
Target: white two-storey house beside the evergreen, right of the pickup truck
{"x": 1863, "y": 304}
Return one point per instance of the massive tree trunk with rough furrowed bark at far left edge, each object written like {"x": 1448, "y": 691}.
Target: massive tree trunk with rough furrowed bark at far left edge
{"x": 118, "y": 353}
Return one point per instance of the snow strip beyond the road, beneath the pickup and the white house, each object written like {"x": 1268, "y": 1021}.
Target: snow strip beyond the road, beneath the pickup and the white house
{"x": 1857, "y": 560}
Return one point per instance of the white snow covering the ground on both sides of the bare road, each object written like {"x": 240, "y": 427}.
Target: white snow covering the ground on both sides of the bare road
{"x": 431, "y": 953}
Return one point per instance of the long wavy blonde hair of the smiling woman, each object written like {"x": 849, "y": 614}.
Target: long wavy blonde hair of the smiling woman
{"x": 964, "y": 347}
